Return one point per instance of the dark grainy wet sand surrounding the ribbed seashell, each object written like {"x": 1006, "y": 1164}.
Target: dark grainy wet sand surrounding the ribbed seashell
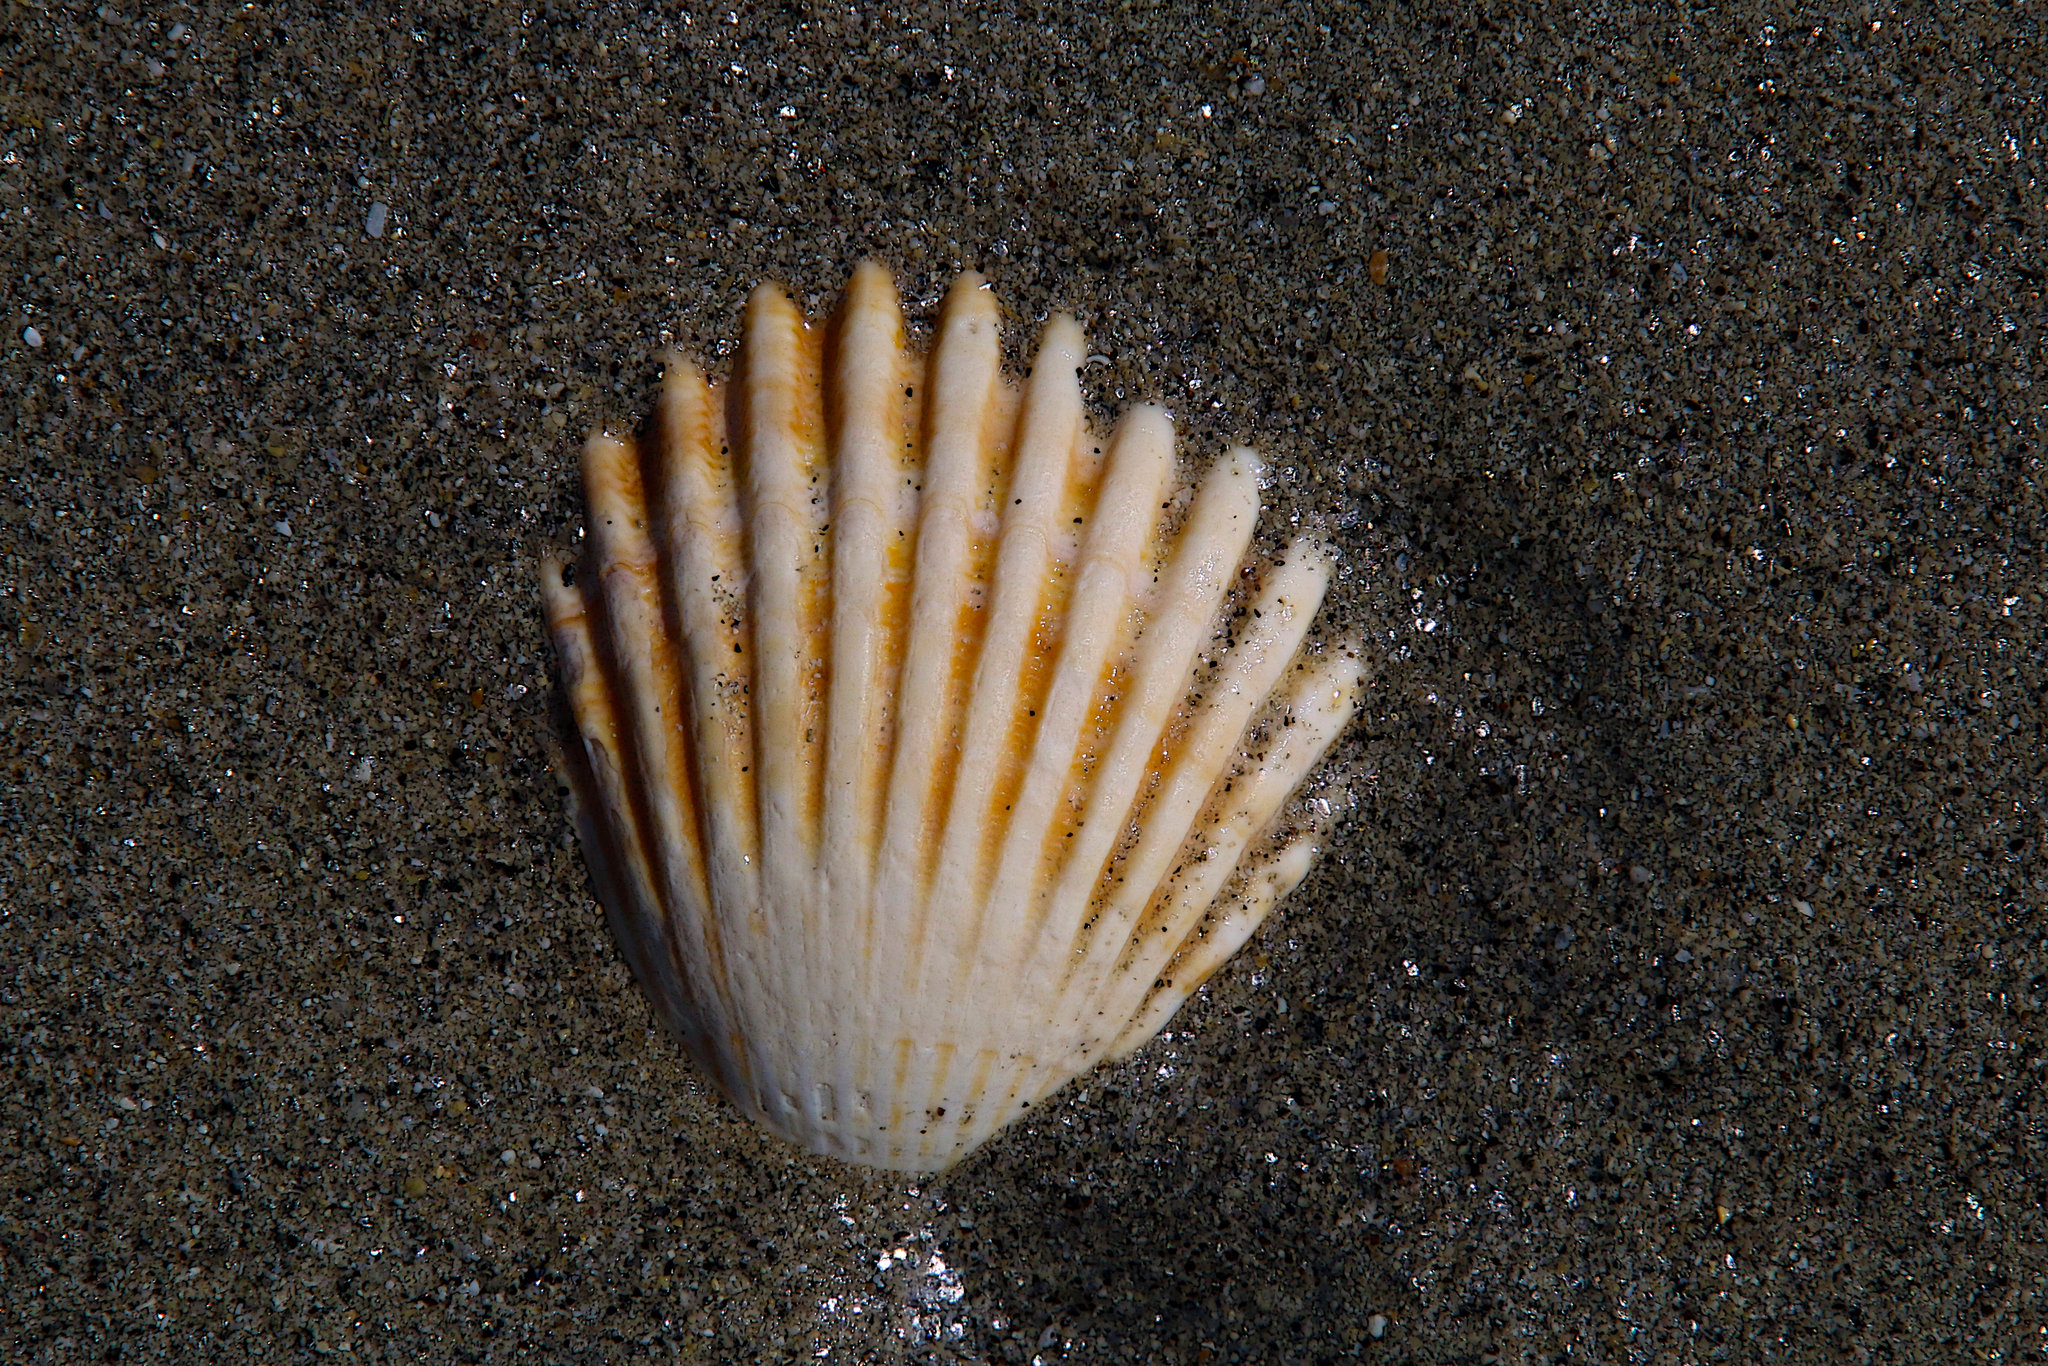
{"x": 1674, "y": 992}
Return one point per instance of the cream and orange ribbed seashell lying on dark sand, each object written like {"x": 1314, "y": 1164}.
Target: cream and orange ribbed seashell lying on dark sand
{"x": 931, "y": 753}
